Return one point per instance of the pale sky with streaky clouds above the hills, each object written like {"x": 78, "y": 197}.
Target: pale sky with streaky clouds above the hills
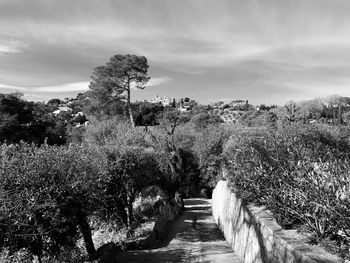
{"x": 265, "y": 51}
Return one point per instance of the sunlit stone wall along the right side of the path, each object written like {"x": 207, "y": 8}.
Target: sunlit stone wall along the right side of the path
{"x": 255, "y": 236}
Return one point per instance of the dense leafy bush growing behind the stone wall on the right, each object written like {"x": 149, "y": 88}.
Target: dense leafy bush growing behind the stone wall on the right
{"x": 300, "y": 172}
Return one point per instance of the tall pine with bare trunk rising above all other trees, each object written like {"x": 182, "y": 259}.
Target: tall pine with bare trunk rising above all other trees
{"x": 115, "y": 80}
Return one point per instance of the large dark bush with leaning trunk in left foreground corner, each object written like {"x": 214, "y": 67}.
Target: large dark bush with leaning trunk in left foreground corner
{"x": 47, "y": 195}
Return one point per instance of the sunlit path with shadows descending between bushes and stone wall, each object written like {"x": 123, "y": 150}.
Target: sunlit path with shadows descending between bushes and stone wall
{"x": 184, "y": 243}
